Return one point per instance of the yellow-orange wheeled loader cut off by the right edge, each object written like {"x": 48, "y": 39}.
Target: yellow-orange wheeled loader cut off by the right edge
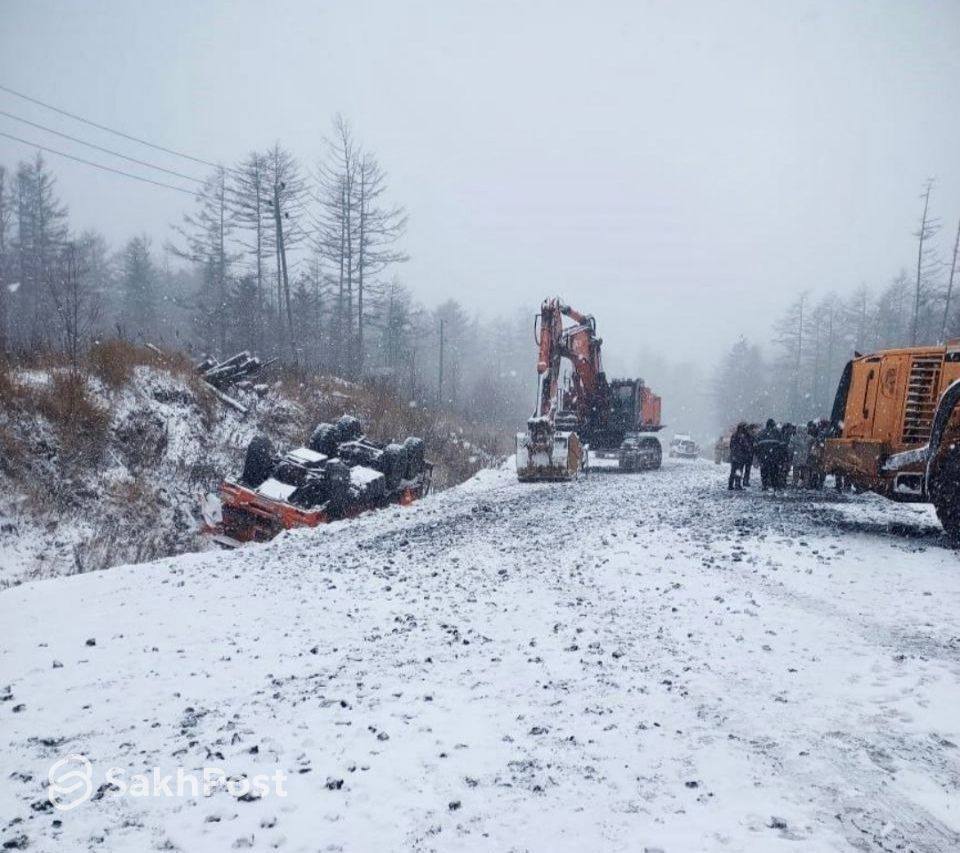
{"x": 896, "y": 427}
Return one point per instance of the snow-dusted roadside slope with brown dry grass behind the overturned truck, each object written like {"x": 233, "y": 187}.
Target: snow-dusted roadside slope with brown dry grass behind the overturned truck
{"x": 107, "y": 469}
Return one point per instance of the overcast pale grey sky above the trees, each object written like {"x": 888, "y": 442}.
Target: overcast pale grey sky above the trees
{"x": 677, "y": 169}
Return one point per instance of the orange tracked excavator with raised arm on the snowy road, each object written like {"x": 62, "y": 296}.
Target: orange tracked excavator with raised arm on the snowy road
{"x": 616, "y": 419}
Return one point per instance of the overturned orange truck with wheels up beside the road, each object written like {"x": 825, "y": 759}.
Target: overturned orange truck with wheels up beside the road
{"x": 339, "y": 474}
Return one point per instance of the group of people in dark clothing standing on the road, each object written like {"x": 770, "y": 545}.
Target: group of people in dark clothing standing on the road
{"x": 778, "y": 451}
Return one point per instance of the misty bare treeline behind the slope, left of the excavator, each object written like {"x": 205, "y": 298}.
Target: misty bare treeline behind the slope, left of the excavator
{"x": 296, "y": 262}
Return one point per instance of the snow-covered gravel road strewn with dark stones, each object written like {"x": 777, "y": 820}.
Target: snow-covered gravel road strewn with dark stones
{"x": 626, "y": 662}
